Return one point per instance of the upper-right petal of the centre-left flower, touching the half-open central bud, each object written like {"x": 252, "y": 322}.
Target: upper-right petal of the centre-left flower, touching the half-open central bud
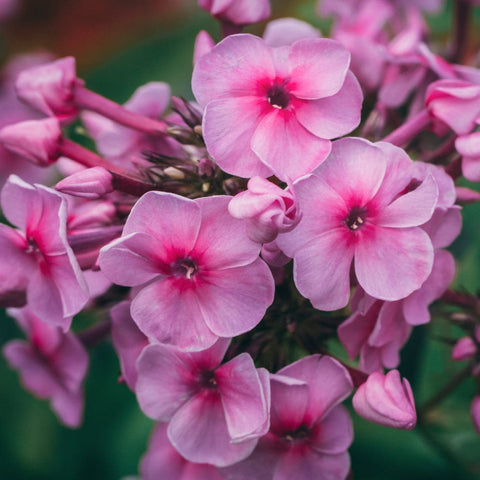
{"x": 222, "y": 241}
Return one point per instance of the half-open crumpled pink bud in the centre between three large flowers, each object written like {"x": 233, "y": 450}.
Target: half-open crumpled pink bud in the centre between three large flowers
{"x": 267, "y": 209}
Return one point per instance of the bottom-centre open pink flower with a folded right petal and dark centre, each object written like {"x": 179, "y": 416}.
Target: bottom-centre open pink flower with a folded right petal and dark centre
{"x": 216, "y": 412}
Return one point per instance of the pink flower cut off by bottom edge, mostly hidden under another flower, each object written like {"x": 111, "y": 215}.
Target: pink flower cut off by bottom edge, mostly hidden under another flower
{"x": 162, "y": 461}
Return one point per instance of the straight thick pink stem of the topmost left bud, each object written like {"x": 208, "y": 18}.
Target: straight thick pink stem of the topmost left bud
{"x": 96, "y": 103}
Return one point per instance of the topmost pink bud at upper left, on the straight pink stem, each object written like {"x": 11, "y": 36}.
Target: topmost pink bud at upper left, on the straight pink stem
{"x": 50, "y": 87}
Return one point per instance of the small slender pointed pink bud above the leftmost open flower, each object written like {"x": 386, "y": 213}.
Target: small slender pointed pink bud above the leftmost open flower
{"x": 90, "y": 183}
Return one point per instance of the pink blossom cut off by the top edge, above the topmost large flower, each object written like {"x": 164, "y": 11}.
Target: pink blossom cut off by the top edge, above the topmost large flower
{"x": 238, "y": 12}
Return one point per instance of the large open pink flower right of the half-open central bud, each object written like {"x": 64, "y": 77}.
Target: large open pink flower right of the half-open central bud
{"x": 354, "y": 209}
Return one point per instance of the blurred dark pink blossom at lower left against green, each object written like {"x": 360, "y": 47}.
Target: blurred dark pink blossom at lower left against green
{"x": 52, "y": 365}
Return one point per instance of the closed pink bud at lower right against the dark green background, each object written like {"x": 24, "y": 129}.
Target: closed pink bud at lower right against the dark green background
{"x": 386, "y": 400}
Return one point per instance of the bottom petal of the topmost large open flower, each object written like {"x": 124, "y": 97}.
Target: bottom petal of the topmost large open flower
{"x": 285, "y": 146}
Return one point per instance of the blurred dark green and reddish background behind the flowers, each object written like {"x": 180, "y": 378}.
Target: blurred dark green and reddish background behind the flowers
{"x": 120, "y": 45}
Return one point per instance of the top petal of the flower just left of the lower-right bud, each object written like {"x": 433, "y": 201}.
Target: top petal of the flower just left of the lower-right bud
{"x": 334, "y": 387}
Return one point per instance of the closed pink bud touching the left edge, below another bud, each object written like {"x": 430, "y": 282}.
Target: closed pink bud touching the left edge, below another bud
{"x": 36, "y": 140}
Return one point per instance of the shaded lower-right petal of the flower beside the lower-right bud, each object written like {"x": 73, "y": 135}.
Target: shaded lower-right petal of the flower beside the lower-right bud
{"x": 334, "y": 434}
